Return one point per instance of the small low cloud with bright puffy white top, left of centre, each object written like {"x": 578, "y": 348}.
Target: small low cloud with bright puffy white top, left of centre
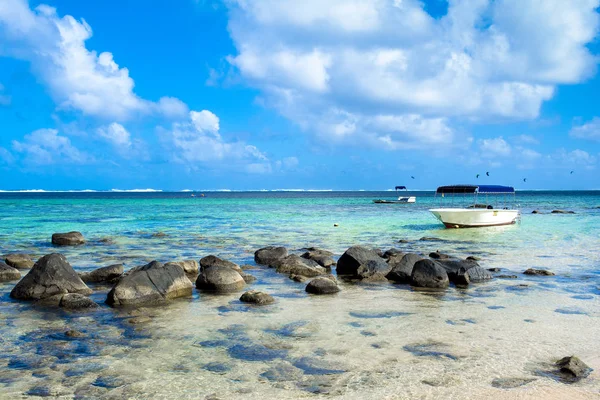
{"x": 198, "y": 141}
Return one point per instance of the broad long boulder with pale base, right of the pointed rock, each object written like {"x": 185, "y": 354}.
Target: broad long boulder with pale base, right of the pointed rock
{"x": 153, "y": 283}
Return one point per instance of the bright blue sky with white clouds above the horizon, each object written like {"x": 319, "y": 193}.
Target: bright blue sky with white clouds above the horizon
{"x": 287, "y": 94}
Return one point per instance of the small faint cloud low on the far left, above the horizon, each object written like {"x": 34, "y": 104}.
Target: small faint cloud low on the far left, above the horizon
{"x": 46, "y": 146}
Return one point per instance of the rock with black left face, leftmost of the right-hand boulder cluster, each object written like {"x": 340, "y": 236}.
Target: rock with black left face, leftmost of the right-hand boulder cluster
{"x": 362, "y": 263}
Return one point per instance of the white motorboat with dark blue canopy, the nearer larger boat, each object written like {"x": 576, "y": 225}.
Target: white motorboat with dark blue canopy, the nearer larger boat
{"x": 476, "y": 214}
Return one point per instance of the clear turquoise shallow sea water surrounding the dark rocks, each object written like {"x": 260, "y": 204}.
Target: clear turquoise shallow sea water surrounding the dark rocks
{"x": 378, "y": 340}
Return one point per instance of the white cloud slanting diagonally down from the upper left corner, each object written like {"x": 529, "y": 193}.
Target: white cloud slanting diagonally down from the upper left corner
{"x": 77, "y": 78}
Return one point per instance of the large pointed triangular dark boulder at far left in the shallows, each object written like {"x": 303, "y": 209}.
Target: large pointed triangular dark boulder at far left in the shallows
{"x": 50, "y": 275}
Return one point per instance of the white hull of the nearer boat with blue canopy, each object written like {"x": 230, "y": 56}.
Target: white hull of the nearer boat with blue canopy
{"x": 474, "y": 218}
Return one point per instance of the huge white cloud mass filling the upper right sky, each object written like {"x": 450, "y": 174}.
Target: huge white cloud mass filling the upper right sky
{"x": 385, "y": 72}
